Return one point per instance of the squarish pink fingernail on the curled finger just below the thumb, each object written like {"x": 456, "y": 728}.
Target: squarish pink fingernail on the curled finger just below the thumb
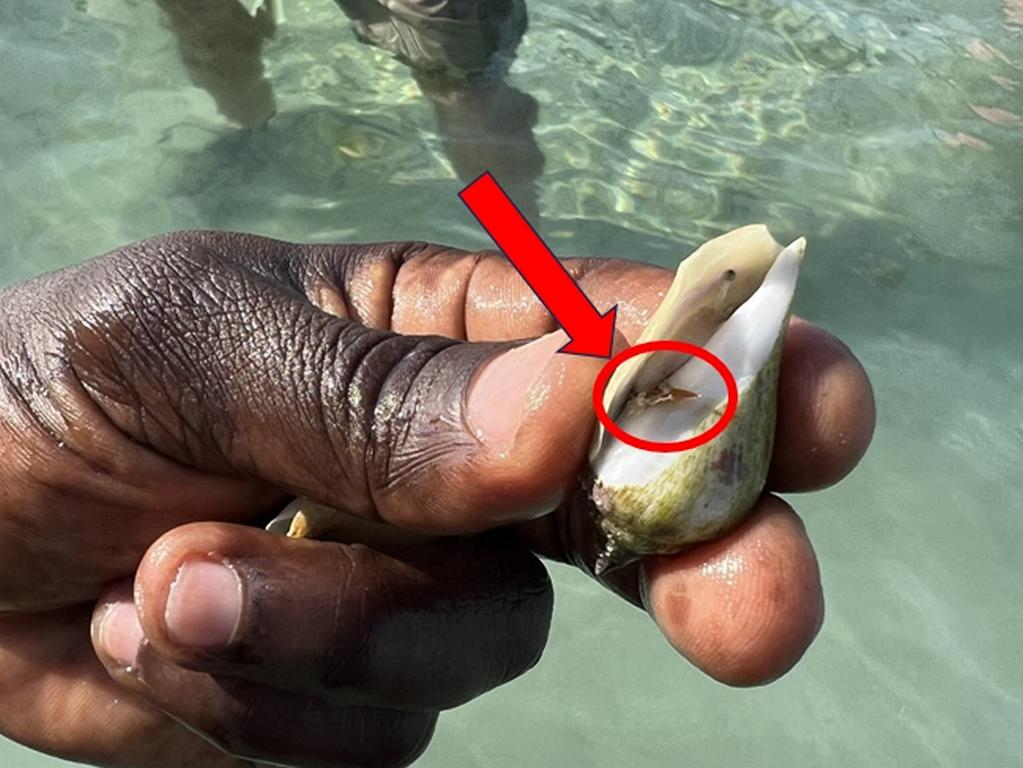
{"x": 204, "y": 608}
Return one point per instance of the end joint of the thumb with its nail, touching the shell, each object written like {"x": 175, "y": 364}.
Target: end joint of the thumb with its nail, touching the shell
{"x": 488, "y": 435}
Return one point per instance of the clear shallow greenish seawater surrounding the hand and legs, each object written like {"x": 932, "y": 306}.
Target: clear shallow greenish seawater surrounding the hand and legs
{"x": 893, "y": 140}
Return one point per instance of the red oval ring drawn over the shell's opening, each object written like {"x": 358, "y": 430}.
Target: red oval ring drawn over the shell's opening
{"x": 666, "y": 346}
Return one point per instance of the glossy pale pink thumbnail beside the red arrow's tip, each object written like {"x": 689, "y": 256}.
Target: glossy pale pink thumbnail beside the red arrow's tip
{"x": 503, "y": 390}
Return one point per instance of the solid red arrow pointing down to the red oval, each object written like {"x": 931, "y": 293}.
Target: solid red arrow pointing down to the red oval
{"x": 592, "y": 334}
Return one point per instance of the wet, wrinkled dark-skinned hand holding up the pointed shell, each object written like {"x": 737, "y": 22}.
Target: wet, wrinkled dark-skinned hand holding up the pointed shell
{"x": 159, "y": 404}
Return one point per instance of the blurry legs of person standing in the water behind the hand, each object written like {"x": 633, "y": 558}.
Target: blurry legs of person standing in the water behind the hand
{"x": 459, "y": 54}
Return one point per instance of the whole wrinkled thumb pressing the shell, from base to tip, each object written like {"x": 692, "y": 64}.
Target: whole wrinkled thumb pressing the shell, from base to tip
{"x": 225, "y": 370}
